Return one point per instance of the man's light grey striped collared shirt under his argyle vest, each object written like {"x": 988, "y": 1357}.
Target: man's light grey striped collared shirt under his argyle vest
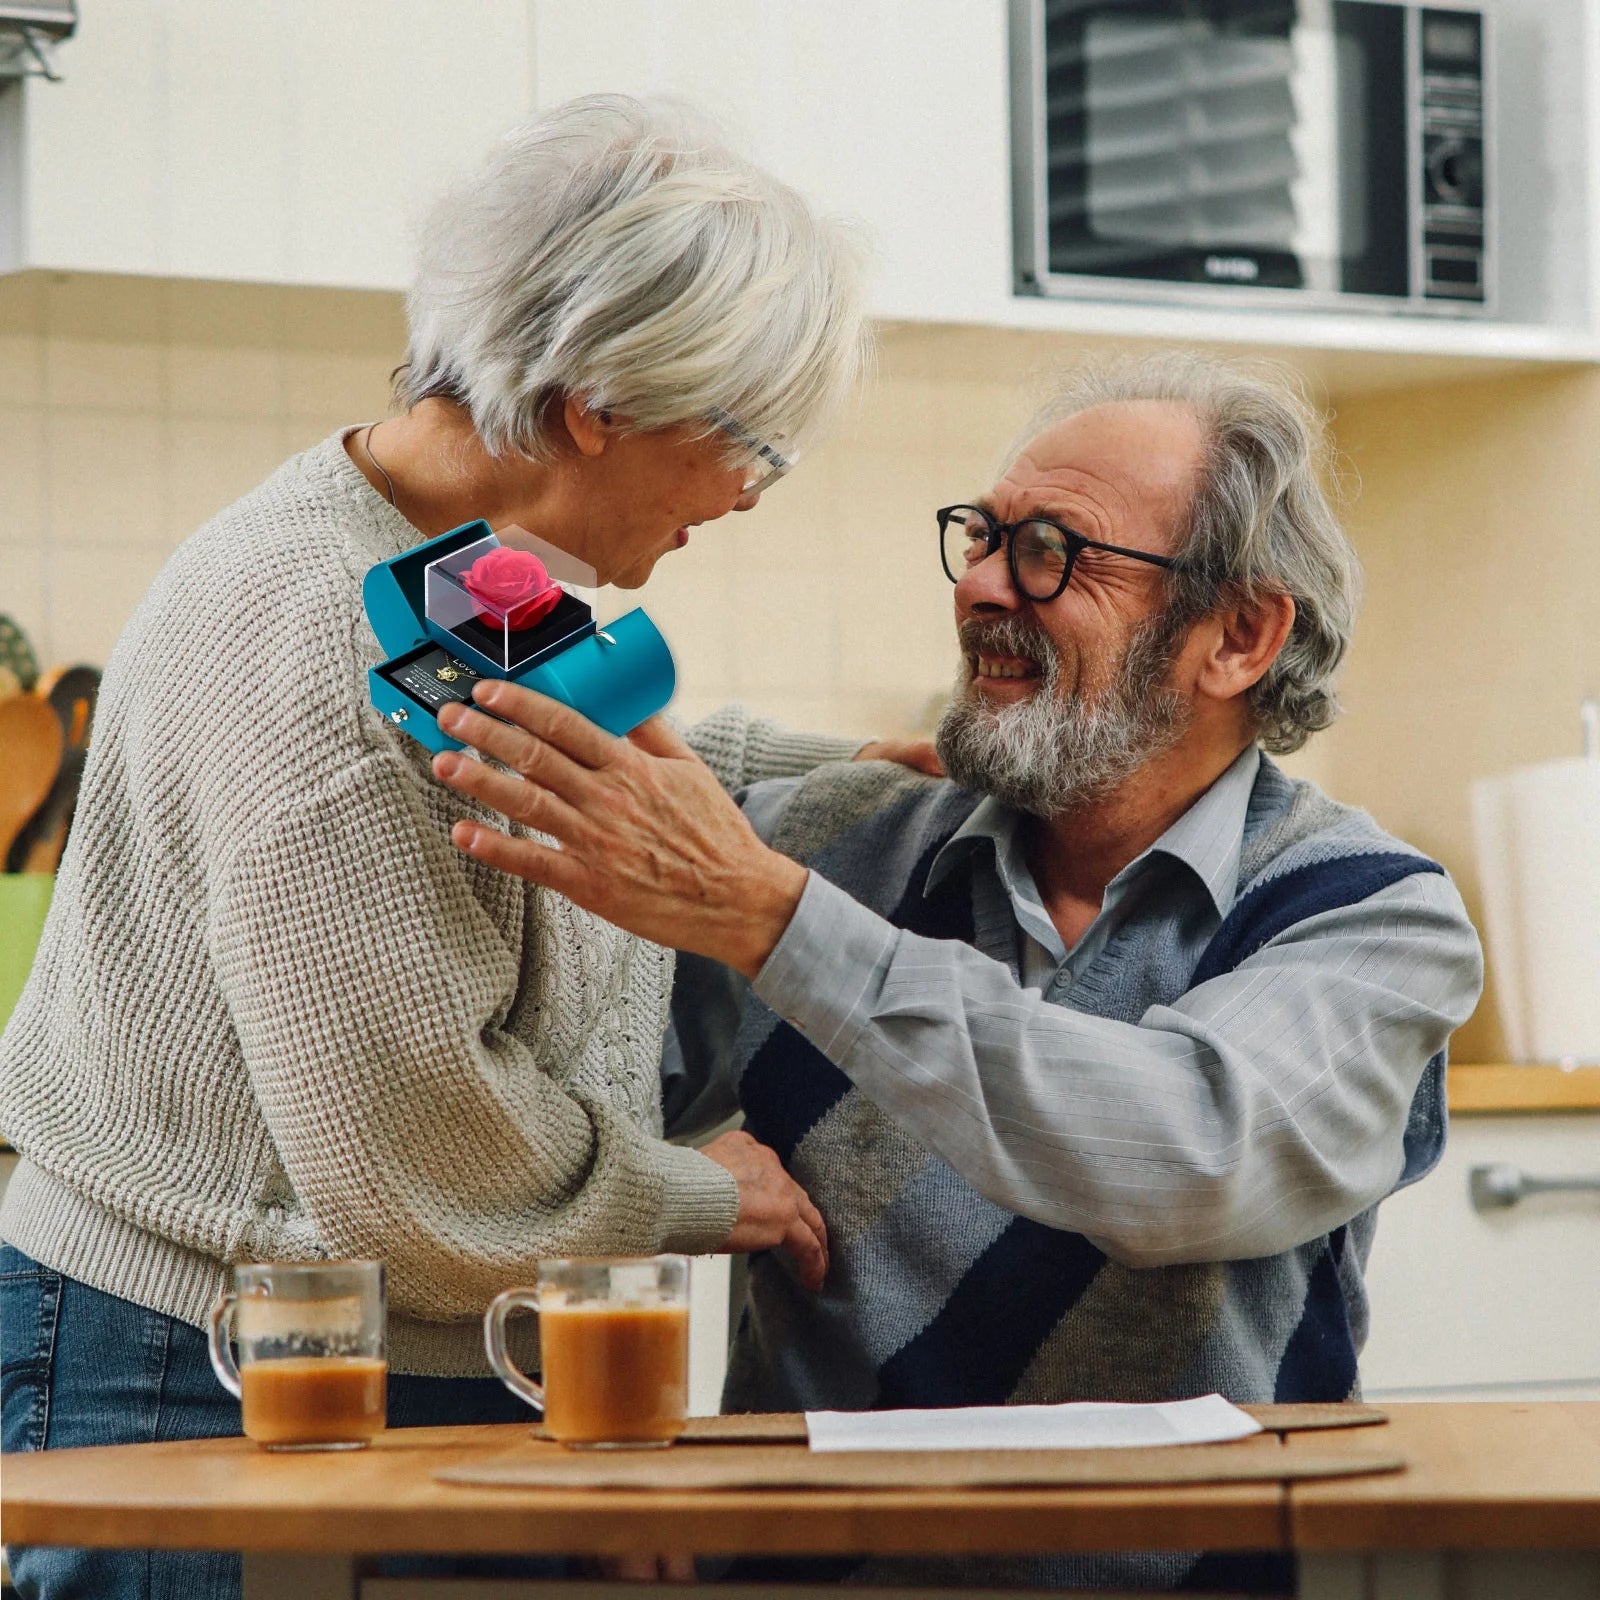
{"x": 1231, "y": 1119}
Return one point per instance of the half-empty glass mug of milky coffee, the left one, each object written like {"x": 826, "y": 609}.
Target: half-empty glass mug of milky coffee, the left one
{"x": 313, "y": 1372}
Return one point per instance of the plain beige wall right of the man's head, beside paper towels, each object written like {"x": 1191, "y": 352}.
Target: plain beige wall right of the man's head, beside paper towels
{"x": 1478, "y": 524}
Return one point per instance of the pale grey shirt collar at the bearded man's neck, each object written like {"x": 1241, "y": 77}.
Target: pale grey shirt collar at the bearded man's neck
{"x": 1209, "y": 838}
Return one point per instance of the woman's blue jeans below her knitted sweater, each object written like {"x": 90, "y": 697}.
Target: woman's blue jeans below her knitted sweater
{"x": 79, "y": 1367}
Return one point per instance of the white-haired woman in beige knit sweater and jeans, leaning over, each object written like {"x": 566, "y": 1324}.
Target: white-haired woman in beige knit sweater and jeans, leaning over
{"x": 276, "y": 1015}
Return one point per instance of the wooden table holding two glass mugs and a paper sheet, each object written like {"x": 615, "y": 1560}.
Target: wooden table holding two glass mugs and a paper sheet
{"x": 1497, "y": 1502}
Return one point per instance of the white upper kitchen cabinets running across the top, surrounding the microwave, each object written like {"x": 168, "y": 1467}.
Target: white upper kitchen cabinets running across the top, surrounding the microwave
{"x": 295, "y": 142}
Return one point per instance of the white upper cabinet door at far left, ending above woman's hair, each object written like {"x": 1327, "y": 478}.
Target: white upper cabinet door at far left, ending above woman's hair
{"x": 287, "y": 142}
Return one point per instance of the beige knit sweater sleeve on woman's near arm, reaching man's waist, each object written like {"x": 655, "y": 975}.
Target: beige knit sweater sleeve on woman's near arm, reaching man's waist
{"x": 369, "y": 990}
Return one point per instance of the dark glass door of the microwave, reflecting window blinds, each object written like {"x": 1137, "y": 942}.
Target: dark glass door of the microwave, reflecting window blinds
{"x": 1244, "y": 143}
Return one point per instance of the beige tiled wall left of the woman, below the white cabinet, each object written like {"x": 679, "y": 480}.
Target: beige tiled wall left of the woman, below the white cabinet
{"x": 134, "y": 409}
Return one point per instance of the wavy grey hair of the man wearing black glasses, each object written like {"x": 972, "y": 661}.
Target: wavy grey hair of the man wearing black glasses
{"x": 1258, "y": 522}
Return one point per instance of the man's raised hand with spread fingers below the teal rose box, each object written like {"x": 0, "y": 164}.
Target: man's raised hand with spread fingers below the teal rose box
{"x": 646, "y": 836}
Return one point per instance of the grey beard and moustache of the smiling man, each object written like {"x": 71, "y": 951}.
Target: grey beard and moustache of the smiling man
{"x": 1050, "y": 754}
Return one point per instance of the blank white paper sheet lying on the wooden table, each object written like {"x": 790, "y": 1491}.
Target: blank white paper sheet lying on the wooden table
{"x": 1086, "y": 1425}
